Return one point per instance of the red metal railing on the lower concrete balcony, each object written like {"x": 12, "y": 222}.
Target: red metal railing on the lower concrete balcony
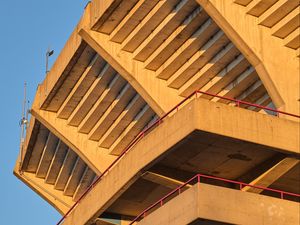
{"x": 197, "y": 178}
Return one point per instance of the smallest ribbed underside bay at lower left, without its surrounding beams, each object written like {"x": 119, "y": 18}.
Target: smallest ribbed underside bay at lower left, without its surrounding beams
{"x": 52, "y": 161}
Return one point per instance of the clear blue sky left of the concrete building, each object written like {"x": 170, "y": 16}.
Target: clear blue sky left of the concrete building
{"x": 28, "y": 27}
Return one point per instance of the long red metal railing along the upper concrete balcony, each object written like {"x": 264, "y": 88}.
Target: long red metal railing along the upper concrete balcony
{"x": 158, "y": 122}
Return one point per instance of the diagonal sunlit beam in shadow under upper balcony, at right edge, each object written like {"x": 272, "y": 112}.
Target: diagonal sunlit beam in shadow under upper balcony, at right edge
{"x": 273, "y": 174}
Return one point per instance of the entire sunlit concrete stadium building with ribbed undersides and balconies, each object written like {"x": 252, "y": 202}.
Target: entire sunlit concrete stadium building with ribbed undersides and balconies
{"x": 117, "y": 125}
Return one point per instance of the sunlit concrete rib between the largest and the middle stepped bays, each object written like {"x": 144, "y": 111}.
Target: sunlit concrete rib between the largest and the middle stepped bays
{"x": 153, "y": 90}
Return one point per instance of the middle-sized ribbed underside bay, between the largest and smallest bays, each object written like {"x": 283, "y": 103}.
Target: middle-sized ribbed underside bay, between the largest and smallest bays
{"x": 101, "y": 103}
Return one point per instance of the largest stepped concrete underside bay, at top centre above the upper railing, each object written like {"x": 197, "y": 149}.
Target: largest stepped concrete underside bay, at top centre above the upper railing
{"x": 180, "y": 42}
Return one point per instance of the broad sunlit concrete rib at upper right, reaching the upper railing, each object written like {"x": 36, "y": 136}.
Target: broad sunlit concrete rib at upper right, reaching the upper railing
{"x": 279, "y": 75}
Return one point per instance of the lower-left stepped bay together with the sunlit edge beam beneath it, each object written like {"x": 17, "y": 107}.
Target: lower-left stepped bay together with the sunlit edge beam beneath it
{"x": 52, "y": 168}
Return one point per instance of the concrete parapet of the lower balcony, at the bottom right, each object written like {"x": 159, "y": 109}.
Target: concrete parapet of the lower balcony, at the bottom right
{"x": 224, "y": 205}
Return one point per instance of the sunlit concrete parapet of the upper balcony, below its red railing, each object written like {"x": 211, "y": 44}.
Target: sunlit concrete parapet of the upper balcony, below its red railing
{"x": 197, "y": 115}
